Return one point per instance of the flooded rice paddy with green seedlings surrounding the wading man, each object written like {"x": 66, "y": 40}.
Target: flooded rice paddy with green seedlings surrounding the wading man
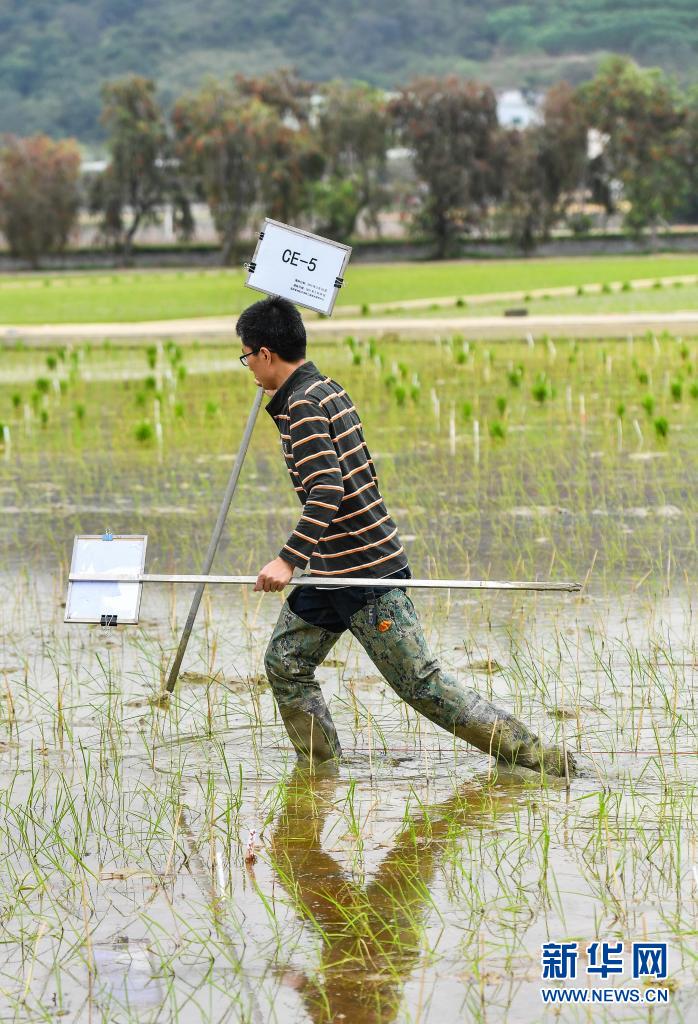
{"x": 176, "y": 865}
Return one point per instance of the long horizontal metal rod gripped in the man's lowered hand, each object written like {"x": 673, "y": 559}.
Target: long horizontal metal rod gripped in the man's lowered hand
{"x": 389, "y": 583}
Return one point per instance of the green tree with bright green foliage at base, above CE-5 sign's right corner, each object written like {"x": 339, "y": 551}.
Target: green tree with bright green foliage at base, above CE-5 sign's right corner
{"x": 355, "y": 132}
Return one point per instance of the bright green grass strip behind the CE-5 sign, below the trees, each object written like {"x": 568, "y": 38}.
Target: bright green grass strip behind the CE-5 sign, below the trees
{"x": 123, "y": 296}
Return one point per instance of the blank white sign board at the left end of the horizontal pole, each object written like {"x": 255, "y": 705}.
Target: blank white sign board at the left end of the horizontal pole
{"x": 124, "y": 557}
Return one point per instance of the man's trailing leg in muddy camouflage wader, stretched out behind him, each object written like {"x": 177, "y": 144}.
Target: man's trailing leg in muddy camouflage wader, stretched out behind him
{"x": 397, "y": 646}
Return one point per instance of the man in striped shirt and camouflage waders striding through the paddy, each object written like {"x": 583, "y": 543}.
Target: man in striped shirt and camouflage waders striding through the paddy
{"x": 345, "y": 531}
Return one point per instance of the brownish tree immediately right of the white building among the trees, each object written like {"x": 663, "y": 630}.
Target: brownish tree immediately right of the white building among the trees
{"x": 546, "y": 163}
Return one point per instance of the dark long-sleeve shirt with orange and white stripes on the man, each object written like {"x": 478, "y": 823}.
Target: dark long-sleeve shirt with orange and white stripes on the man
{"x": 345, "y": 529}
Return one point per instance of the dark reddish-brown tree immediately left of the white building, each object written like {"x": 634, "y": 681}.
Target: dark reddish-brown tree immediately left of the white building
{"x": 451, "y": 125}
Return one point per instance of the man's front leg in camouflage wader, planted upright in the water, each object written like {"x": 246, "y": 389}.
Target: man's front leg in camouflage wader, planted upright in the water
{"x": 295, "y": 651}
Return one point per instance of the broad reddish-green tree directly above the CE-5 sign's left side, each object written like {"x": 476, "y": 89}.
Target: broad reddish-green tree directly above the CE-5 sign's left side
{"x": 243, "y": 153}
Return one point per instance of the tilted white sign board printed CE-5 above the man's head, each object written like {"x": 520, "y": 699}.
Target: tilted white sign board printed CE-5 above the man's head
{"x": 298, "y": 266}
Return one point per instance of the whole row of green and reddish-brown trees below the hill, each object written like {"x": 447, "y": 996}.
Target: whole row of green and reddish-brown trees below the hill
{"x": 318, "y": 157}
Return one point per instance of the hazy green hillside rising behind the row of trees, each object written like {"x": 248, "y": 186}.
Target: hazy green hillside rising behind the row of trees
{"x": 56, "y": 54}
